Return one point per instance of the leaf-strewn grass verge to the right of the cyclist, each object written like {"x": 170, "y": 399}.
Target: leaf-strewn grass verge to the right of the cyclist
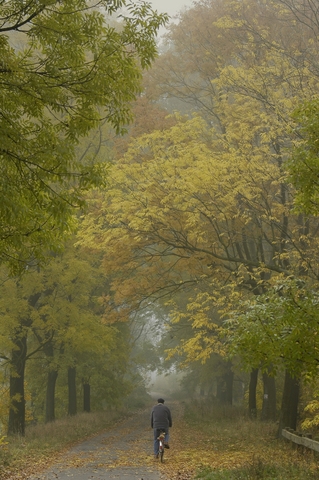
{"x": 211, "y": 443}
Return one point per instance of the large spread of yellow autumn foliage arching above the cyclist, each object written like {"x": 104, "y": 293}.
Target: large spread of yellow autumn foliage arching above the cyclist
{"x": 189, "y": 207}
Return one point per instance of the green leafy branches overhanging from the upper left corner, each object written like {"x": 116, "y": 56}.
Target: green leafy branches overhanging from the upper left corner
{"x": 63, "y": 70}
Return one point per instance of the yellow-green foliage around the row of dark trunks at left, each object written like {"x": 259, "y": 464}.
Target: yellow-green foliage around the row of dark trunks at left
{"x": 60, "y": 311}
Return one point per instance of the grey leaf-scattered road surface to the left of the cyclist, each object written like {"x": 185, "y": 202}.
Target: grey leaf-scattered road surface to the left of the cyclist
{"x": 125, "y": 451}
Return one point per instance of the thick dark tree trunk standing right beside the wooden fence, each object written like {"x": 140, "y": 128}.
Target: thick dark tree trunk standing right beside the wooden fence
{"x": 289, "y": 405}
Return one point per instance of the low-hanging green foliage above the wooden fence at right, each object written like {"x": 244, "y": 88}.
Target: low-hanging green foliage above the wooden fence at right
{"x": 279, "y": 327}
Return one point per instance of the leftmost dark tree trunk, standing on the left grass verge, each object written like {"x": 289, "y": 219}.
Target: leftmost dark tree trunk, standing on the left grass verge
{"x": 16, "y": 424}
